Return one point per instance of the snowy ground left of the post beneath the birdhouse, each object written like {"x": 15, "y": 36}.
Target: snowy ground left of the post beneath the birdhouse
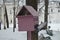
{"x": 8, "y": 34}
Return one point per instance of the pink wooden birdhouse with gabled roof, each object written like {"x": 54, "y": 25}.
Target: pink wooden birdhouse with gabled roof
{"x": 27, "y": 18}
